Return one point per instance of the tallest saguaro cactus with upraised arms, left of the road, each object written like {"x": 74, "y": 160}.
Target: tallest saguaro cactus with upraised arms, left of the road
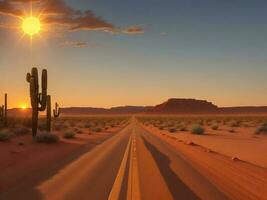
{"x": 38, "y": 100}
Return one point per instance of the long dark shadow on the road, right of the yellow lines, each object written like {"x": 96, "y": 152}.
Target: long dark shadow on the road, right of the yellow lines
{"x": 177, "y": 188}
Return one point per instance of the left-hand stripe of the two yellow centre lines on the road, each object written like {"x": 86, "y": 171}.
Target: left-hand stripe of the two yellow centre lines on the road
{"x": 116, "y": 189}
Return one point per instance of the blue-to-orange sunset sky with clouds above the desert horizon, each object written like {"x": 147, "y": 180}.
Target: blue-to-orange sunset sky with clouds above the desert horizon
{"x": 122, "y": 52}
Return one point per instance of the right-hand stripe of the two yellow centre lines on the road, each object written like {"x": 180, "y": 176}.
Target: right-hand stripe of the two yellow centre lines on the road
{"x": 133, "y": 190}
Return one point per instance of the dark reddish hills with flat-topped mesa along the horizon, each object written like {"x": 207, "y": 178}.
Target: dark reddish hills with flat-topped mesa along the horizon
{"x": 171, "y": 106}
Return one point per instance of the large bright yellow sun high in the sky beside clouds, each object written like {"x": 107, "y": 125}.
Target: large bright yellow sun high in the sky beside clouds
{"x": 31, "y": 25}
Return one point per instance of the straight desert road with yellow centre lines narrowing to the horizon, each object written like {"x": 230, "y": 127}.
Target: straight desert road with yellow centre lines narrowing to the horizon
{"x": 133, "y": 164}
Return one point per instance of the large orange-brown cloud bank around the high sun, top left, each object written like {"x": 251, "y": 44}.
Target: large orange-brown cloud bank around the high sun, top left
{"x": 57, "y": 12}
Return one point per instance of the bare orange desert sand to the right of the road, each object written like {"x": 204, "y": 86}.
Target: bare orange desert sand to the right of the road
{"x": 235, "y": 162}
